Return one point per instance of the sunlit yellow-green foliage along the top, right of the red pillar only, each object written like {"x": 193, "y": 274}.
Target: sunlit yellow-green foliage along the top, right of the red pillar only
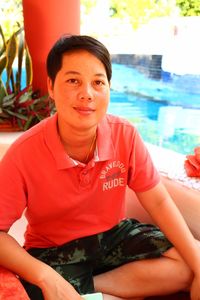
{"x": 139, "y": 12}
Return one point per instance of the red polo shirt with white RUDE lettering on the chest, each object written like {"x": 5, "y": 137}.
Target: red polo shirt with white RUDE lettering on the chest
{"x": 65, "y": 199}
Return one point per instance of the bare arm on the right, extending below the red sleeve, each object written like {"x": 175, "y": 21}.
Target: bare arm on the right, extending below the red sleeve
{"x": 166, "y": 215}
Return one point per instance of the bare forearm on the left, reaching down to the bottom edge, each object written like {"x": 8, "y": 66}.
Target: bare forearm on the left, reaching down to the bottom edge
{"x": 19, "y": 261}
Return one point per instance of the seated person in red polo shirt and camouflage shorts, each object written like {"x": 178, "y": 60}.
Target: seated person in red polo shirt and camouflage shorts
{"x": 69, "y": 173}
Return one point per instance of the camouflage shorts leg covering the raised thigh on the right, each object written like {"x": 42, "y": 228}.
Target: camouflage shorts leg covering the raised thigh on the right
{"x": 130, "y": 241}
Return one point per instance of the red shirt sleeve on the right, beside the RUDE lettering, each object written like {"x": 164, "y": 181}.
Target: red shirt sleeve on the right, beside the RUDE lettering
{"x": 142, "y": 173}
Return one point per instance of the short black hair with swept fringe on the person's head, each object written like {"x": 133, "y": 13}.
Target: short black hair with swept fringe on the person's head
{"x": 70, "y": 43}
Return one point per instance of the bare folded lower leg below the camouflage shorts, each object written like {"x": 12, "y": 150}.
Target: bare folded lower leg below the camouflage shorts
{"x": 148, "y": 277}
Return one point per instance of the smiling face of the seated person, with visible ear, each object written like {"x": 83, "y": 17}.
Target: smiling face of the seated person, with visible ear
{"x": 81, "y": 91}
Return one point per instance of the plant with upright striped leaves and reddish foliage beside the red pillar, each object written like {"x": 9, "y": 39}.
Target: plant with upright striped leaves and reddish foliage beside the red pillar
{"x": 20, "y": 107}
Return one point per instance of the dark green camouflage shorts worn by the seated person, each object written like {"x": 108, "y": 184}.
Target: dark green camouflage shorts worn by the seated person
{"x": 79, "y": 260}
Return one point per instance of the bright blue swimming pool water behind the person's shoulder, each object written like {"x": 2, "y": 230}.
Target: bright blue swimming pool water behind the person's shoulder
{"x": 166, "y": 114}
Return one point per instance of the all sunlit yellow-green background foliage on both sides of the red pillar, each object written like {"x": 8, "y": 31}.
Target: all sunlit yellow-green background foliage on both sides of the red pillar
{"x": 136, "y": 11}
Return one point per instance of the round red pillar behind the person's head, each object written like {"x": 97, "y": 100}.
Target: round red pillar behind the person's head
{"x": 44, "y": 22}
